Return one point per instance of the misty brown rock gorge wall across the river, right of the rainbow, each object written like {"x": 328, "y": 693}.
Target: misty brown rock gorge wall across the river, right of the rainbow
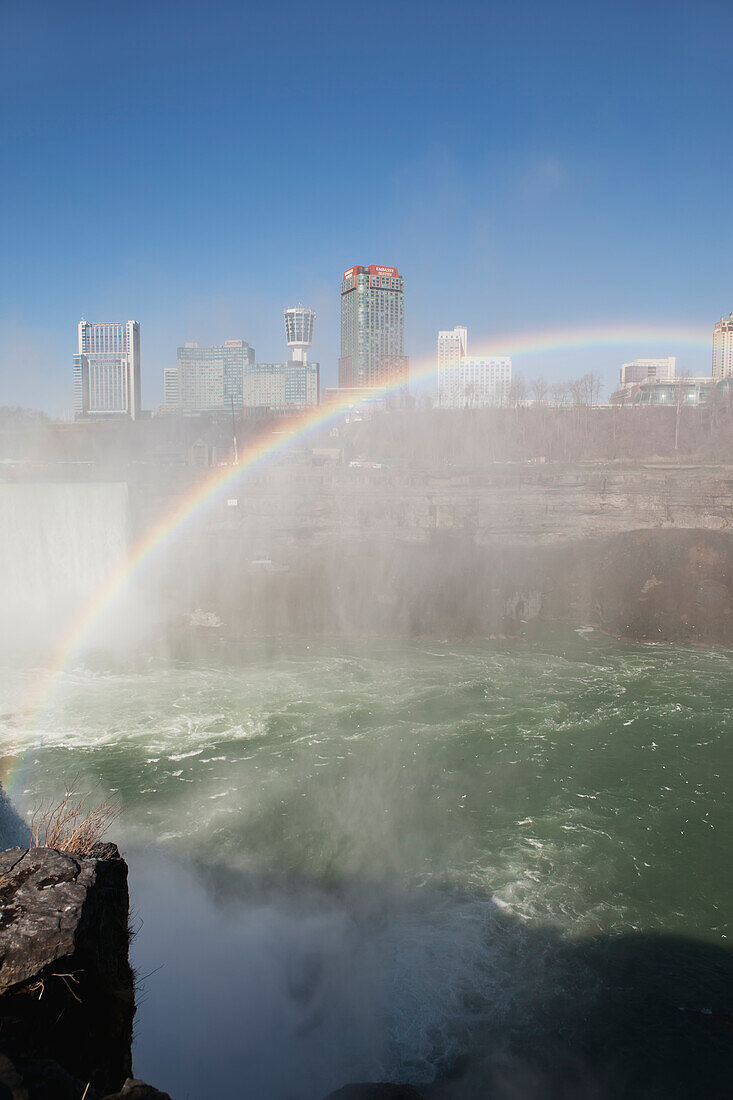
{"x": 643, "y": 553}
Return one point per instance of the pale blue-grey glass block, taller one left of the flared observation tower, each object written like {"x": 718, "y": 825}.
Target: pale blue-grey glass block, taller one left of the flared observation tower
{"x": 212, "y": 380}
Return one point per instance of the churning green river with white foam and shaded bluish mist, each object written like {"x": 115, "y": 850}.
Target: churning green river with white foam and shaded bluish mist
{"x": 391, "y": 846}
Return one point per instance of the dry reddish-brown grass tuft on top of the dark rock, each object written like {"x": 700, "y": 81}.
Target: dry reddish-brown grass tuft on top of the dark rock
{"x": 72, "y": 824}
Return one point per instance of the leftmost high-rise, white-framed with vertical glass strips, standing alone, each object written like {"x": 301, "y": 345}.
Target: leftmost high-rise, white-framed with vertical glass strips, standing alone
{"x": 107, "y": 370}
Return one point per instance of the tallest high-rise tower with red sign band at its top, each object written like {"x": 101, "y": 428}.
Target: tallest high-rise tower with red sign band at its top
{"x": 374, "y": 329}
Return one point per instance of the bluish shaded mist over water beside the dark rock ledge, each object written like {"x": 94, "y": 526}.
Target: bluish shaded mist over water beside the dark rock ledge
{"x": 367, "y": 983}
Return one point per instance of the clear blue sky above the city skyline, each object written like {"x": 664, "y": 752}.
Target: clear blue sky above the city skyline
{"x": 200, "y": 167}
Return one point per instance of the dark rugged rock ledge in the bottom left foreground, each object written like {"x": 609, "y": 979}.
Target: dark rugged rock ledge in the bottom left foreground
{"x": 67, "y": 986}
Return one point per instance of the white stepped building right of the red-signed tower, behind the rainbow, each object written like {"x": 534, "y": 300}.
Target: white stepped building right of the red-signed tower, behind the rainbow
{"x": 466, "y": 382}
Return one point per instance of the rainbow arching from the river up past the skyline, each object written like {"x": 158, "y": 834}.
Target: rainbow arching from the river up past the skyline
{"x": 157, "y": 537}
